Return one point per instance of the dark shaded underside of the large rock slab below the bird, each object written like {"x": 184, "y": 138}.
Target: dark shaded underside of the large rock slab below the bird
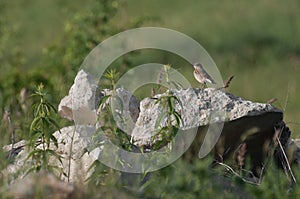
{"x": 256, "y": 132}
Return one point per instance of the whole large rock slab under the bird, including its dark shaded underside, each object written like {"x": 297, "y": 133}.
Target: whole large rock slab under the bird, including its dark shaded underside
{"x": 245, "y": 122}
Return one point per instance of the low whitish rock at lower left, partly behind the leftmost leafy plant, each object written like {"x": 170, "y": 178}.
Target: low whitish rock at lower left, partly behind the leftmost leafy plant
{"x": 72, "y": 148}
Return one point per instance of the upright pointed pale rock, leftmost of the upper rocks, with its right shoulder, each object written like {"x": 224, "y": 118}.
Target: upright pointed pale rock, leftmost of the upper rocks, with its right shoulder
{"x": 82, "y": 103}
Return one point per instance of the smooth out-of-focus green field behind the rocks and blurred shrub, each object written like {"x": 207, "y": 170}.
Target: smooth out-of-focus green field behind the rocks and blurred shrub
{"x": 256, "y": 41}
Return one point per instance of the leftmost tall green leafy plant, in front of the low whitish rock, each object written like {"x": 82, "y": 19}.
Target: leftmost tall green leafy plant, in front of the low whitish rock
{"x": 41, "y": 134}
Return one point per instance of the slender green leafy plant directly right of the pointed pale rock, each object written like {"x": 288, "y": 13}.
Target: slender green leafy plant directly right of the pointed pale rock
{"x": 108, "y": 121}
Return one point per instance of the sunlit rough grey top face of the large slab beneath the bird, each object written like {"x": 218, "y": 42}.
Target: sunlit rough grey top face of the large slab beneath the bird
{"x": 198, "y": 108}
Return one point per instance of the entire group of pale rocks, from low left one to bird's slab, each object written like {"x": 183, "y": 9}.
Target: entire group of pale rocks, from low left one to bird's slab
{"x": 198, "y": 108}
